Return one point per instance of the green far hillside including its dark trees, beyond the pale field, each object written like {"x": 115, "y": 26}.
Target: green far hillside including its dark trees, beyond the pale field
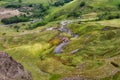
{"x": 78, "y": 8}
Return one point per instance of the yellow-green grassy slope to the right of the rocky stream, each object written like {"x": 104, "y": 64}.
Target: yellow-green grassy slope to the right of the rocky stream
{"x": 94, "y": 44}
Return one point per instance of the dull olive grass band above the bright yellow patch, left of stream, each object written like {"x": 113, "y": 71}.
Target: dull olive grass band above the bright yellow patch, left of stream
{"x": 27, "y": 38}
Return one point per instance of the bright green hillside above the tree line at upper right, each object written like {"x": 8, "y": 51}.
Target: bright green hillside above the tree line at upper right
{"x": 90, "y": 6}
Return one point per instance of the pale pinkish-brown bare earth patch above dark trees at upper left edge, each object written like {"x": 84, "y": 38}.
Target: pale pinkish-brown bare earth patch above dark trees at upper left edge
{"x": 6, "y": 13}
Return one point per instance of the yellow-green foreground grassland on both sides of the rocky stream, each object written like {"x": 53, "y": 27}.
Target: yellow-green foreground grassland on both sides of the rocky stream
{"x": 98, "y": 45}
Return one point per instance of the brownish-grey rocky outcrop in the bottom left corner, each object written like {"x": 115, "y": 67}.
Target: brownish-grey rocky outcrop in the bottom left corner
{"x": 12, "y": 70}
